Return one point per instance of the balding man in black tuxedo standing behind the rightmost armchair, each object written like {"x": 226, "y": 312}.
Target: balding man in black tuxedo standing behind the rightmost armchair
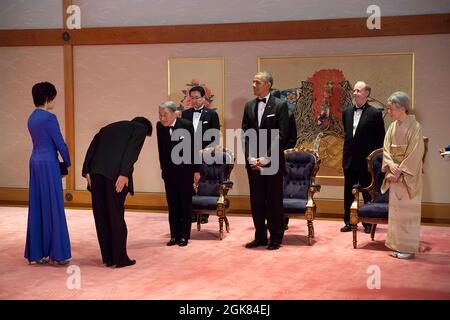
{"x": 364, "y": 132}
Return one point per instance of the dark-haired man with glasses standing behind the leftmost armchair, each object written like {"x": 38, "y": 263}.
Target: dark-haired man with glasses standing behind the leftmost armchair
{"x": 203, "y": 119}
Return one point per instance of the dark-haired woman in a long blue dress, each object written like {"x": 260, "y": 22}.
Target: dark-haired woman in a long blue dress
{"x": 47, "y": 234}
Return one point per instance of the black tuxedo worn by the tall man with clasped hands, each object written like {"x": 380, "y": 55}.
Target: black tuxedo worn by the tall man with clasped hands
{"x": 266, "y": 191}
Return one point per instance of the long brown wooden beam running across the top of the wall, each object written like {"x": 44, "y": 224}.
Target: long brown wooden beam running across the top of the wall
{"x": 255, "y": 31}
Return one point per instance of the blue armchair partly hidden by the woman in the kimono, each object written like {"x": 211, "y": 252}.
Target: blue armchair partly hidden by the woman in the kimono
{"x": 376, "y": 211}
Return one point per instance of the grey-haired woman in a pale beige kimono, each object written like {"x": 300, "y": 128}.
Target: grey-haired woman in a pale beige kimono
{"x": 402, "y": 161}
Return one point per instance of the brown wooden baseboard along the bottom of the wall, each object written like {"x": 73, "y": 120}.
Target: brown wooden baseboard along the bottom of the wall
{"x": 435, "y": 213}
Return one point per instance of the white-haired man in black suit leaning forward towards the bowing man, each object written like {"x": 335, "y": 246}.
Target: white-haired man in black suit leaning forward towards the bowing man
{"x": 176, "y": 156}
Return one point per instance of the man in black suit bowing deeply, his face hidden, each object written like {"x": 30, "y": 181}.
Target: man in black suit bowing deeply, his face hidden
{"x": 108, "y": 168}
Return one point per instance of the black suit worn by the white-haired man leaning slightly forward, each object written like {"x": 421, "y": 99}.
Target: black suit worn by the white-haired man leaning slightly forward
{"x": 178, "y": 178}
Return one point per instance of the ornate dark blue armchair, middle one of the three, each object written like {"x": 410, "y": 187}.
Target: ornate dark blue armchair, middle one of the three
{"x": 299, "y": 186}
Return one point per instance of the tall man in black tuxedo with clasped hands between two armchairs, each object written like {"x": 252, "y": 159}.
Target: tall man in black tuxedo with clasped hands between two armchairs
{"x": 265, "y": 126}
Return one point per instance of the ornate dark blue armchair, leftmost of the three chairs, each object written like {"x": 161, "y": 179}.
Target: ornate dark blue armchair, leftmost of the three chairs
{"x": 211, "y": 192}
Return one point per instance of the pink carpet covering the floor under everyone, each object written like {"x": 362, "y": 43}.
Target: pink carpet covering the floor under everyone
{"x": 217, "y": 270}
